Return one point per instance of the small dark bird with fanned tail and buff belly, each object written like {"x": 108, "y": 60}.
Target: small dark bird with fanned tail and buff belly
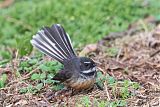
{"x": 79, "y": 72}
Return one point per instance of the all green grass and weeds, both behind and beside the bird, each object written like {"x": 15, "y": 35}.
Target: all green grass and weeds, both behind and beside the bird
{"x": 85, "y": 21}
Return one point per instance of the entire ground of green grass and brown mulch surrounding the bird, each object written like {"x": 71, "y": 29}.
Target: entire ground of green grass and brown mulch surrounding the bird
{"x": 124, "y": 44}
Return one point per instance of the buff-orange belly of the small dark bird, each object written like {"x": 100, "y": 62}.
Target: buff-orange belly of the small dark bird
{"x": 81, "y": 83}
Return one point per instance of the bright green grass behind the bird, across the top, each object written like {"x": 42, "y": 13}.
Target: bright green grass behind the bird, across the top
{"x": 86, "y": 21}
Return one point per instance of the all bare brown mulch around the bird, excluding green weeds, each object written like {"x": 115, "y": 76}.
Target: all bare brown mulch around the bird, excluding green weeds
{"x": 137, "y": 59}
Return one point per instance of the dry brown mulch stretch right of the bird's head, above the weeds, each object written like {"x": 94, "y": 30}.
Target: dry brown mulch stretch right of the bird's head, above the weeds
{"x": 140, "y": 55}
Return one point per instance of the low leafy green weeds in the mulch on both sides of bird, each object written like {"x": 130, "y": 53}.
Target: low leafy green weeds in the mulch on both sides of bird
{"x": 41, "y": 79}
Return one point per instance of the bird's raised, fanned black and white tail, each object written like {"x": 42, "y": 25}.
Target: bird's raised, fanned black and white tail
{"x": 54, "y": 42}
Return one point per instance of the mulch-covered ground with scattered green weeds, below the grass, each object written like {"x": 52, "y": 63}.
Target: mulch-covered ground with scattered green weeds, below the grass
{"x": 130, "y": 75}
